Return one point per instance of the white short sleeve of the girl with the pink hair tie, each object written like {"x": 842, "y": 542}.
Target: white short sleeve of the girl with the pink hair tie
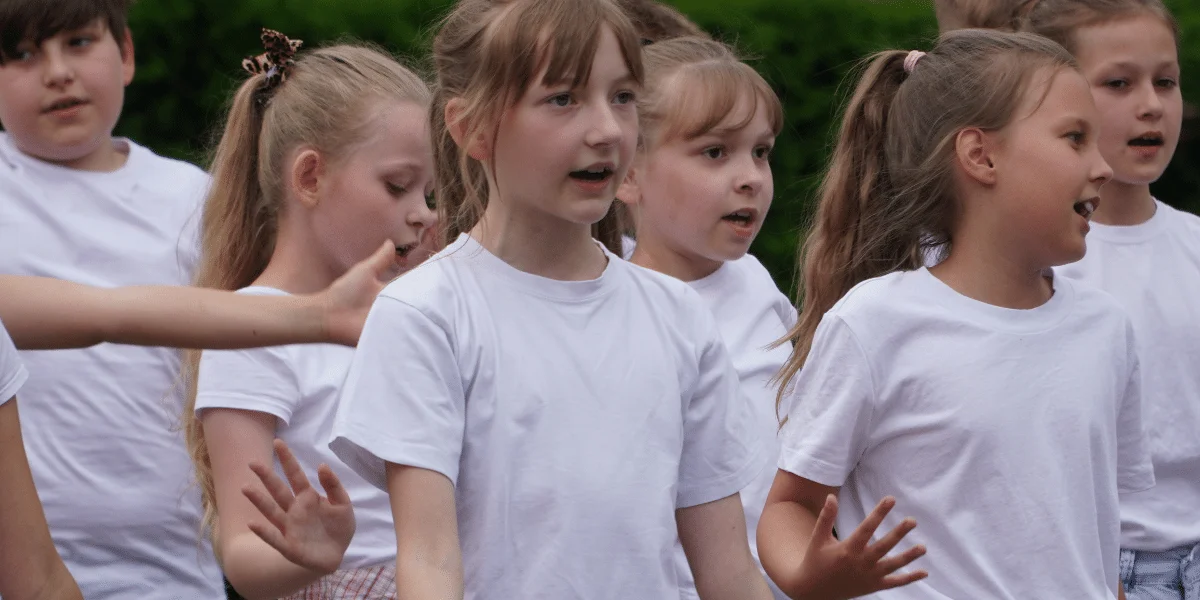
{"x": 830, "y": 409}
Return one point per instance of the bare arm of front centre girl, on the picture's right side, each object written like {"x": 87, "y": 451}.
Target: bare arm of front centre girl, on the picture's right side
{"x": 715, "y": 539}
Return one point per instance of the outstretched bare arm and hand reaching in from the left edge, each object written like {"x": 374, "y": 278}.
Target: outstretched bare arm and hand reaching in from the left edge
{"x": 47, "y": 314}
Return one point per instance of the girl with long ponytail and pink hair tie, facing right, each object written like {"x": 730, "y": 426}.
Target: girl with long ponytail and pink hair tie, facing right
{"x": 993, "y": 401}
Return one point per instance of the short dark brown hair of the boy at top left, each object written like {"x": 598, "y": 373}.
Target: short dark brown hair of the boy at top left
{"x": 37, "y": 21}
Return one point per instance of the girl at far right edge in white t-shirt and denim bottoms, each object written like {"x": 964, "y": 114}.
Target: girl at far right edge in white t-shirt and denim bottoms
{"x": 1148, "y": 256}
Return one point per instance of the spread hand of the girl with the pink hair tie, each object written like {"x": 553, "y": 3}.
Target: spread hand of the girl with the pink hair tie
{"x": 837, "y": 571}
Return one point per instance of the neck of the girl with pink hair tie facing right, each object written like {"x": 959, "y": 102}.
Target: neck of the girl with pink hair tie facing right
{"x": 979, "y": 272}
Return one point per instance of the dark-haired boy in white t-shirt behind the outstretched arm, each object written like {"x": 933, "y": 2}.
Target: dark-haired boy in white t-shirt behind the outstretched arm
{"x": 83, "y": 207}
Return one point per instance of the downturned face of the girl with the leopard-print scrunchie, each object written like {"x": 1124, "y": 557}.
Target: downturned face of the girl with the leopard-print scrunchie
{"x": 381, "y": 191}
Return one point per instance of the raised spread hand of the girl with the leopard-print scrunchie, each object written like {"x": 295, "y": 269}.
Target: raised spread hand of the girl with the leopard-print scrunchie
{"x": 308, "y": 530}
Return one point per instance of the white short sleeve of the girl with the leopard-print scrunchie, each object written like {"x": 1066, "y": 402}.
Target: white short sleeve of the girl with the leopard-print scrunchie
{"x": 261, "y": 380}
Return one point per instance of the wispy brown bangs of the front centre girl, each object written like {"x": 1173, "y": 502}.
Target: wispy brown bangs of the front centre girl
{"x": 560, "y": 37}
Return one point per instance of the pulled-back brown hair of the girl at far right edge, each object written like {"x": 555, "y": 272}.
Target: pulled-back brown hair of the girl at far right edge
{"x": 1059, "y": 20}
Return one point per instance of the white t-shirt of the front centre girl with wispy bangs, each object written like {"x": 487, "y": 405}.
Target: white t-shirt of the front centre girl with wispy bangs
{"x": 574, "y": 419}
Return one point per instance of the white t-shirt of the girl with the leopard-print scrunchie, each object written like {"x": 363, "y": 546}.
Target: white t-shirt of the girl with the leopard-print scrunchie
{"x": 301, "y": 385}
